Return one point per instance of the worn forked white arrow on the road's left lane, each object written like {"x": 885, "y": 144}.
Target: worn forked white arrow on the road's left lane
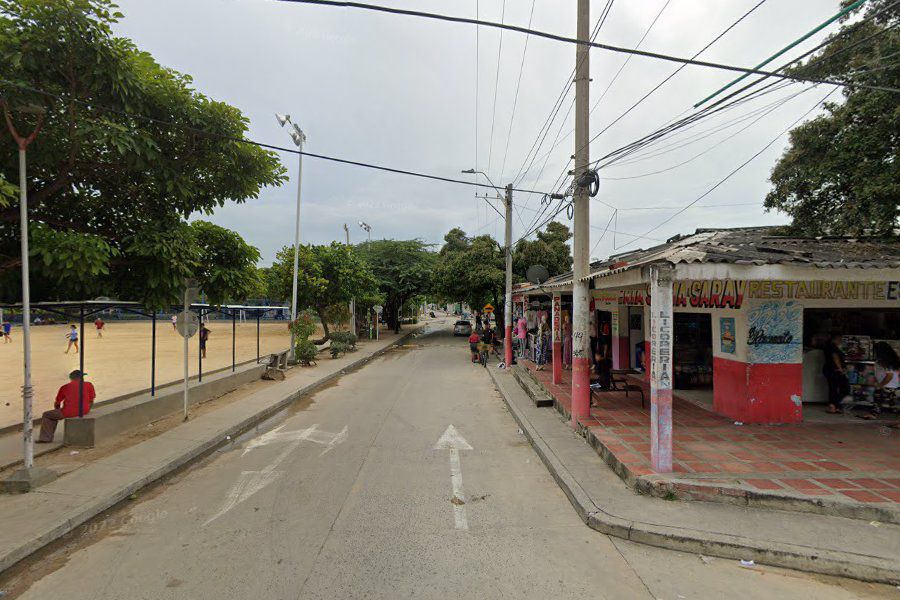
{"x": 250, "y": 482}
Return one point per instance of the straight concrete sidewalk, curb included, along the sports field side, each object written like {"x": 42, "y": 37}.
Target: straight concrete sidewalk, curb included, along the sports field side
{"x": 34, "y": 520}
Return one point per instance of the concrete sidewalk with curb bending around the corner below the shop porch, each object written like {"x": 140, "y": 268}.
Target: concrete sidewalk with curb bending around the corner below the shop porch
{"x": 809, "y": 542}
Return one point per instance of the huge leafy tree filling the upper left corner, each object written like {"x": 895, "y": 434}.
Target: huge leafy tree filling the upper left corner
{"x": 121, "y": 161}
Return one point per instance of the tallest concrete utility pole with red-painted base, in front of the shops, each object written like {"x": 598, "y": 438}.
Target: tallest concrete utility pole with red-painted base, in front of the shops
{"x": 581, "y": 367}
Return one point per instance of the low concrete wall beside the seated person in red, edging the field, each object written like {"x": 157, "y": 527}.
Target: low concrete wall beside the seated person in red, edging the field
{"x": 112, "y": 418}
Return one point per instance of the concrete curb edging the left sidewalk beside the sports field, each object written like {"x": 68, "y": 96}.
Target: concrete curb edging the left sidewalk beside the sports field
{"x": 82, "y": 515}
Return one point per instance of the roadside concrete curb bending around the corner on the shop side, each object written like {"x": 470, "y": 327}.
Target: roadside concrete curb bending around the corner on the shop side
{"x": 826, "y": 562}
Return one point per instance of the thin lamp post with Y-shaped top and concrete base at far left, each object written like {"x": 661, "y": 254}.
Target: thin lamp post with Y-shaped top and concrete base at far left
{"x": 29, "y": 476}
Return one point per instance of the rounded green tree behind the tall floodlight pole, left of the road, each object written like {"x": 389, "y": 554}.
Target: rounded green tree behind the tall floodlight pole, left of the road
{"x": 327, "y": 276}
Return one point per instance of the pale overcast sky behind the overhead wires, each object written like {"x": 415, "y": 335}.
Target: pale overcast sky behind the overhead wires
{"x": 401, "y": 92}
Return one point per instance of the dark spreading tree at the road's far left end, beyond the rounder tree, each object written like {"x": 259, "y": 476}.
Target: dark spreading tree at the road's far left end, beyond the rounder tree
{"x": 402, "y": 270}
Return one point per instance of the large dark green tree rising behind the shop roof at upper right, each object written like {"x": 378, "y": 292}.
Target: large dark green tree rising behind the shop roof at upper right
{"x": 840, "y": 175}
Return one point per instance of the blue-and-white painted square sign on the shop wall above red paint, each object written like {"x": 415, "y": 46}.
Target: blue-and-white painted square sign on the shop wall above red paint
{"x": 775, "y": 333}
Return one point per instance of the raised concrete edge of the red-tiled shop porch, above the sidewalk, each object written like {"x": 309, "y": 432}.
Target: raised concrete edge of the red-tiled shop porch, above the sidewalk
{"x": 661, "y": 486}
